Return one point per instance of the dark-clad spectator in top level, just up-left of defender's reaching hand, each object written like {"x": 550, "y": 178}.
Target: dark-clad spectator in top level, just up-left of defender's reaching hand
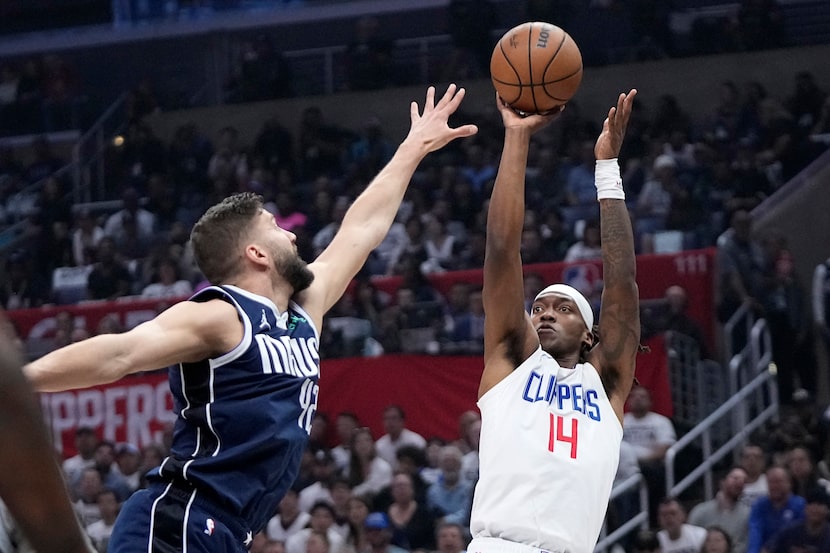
{"x": 369, "y": 57}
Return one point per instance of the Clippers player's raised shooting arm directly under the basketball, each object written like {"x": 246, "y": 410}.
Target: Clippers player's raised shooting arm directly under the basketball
{"x": 508, "y": 334}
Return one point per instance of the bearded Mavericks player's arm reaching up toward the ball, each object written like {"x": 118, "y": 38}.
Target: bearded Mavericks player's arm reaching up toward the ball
{"x": 368, "y": 219}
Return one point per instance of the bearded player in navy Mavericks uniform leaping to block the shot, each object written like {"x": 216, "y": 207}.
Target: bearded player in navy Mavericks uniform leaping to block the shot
{"x": 246, "y": 357}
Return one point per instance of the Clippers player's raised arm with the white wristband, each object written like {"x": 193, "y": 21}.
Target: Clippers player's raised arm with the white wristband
{"x": 619, "y": 318}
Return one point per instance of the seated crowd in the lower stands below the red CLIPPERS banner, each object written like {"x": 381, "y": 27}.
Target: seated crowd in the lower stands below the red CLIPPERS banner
{"x": 403, "y": 492}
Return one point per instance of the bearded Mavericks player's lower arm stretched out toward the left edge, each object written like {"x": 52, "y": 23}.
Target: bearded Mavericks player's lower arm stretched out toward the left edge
{"x": 187, "y": 331}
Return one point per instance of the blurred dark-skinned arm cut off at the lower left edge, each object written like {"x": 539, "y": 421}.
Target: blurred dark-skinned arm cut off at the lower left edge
{"x": 31, "y": 484}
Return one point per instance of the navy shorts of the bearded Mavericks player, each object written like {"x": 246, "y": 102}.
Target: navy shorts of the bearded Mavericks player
{"x": 169, "y": 519}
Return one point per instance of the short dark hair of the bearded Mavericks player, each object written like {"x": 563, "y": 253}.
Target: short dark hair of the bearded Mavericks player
{"x": 217, "y": 234}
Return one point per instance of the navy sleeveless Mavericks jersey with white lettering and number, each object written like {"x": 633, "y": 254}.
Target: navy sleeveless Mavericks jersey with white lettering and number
{"x": 244, "y": 417}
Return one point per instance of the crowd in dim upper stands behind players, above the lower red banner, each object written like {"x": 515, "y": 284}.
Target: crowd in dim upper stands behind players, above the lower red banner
{"x": 688, "y": 180}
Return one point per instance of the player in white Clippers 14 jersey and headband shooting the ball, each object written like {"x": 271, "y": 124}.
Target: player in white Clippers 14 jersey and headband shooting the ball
{"x": 552, "y": 393}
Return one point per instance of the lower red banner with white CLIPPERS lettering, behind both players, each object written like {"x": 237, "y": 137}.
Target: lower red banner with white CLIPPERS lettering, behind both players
{"x": 433, "y": 391}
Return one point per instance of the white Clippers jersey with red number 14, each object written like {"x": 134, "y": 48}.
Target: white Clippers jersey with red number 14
{"x": 550, "y": 444}
